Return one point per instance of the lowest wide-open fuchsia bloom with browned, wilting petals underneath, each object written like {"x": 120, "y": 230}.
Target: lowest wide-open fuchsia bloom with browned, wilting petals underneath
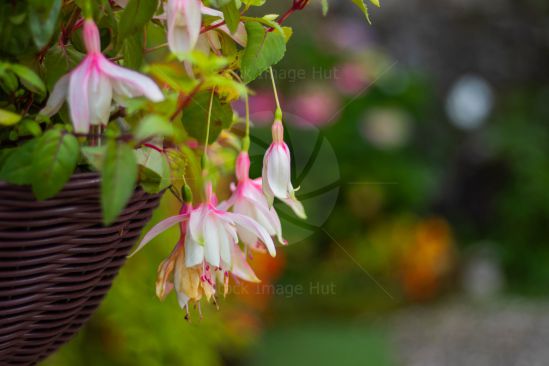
{"x": 207, "y": 251}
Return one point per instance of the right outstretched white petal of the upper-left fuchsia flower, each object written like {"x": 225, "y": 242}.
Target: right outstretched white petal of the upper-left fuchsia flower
{"x": 135, "y": 83}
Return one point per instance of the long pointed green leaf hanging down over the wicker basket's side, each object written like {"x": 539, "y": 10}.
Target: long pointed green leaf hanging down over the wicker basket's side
{"x": 118, "y": 178}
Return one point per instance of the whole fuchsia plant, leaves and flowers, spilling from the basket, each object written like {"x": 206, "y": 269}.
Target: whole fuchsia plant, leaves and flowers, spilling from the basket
{"x": 151, "y": 107}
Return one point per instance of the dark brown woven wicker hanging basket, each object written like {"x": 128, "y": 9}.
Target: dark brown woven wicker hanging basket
{"x": 57, "y": 261}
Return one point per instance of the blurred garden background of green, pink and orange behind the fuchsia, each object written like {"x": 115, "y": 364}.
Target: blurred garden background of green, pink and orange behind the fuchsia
{"x": 422, "y": 151}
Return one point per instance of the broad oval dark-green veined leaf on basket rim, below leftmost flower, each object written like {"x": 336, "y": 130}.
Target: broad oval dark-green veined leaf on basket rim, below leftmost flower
{"x": 55, "y": 158}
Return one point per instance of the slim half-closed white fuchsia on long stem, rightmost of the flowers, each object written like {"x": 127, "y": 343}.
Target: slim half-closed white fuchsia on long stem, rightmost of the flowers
{"x": 276, "y": 175}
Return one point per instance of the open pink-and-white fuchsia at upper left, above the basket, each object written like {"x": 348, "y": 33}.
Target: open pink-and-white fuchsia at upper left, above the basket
{"x": 91, "y": 86}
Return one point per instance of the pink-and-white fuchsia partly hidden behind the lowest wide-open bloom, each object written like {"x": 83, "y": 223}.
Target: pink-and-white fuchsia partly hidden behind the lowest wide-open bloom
{"x": 248, "y": 199}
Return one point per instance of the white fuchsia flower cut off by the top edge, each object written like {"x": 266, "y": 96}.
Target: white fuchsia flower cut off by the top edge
{"x": 184, "y": 19}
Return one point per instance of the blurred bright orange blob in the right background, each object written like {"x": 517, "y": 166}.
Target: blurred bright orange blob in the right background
{"x": 428, "y": 259}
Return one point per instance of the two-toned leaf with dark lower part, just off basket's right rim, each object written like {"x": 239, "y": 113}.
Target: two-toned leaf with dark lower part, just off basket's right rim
{"x": 154, "y": 170}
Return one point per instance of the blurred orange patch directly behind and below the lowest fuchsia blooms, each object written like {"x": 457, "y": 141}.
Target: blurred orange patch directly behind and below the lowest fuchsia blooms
{"x": 258, "y": 295}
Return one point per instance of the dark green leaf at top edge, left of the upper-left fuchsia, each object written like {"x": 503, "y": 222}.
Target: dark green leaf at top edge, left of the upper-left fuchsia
{"x": 43, "y": 16}
